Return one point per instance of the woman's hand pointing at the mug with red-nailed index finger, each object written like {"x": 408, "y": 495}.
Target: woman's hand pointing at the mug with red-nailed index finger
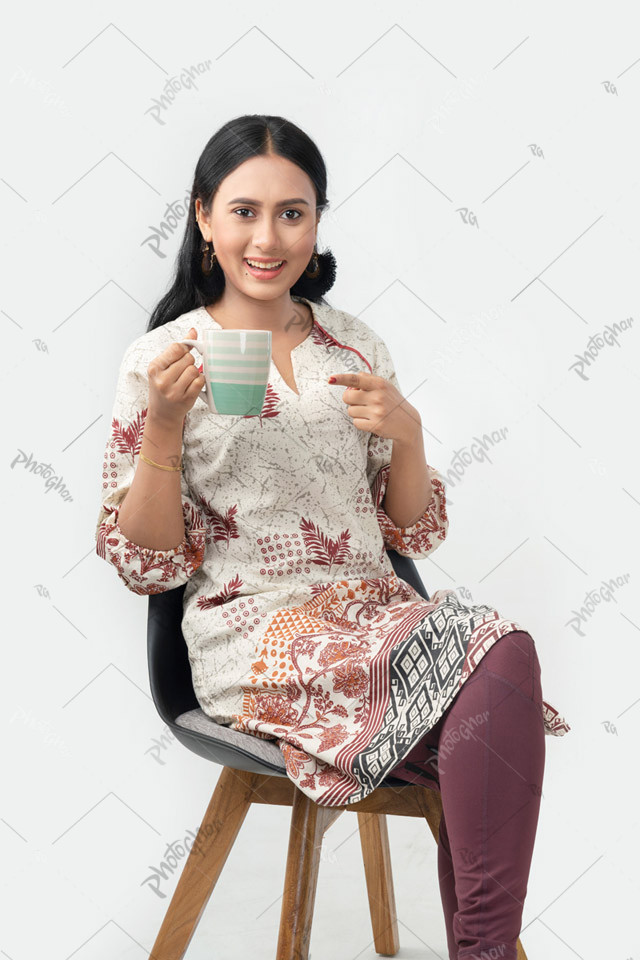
{"x": 378, "y": 407}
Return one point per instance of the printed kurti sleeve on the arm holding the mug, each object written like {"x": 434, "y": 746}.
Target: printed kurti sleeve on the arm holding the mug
{"x": 142, "y": 569}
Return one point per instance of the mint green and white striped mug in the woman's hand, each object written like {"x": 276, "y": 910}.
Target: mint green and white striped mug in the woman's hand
{"x": 236, "y": 366}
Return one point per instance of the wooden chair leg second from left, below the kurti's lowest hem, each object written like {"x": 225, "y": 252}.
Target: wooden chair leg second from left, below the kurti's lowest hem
{"x": 308, "y": 824}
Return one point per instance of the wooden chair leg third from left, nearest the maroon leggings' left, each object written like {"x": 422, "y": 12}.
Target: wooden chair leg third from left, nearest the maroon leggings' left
{"x": 374, "y": 839}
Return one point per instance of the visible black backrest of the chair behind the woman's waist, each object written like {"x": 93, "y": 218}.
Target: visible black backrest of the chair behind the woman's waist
{"x": 168, "y": 655}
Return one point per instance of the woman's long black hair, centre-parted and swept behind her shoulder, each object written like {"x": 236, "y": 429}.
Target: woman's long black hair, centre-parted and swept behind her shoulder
{"x": 238, "y": 140}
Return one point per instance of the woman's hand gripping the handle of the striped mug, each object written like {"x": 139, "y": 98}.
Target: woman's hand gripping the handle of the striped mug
{"x": 174, "y": 382}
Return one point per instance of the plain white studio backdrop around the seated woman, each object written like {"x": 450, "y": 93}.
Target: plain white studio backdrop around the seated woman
{"x": 485, "y": 190}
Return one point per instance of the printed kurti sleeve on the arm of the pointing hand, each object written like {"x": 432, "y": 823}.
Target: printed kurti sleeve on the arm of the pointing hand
{"x": 427, "y": 533}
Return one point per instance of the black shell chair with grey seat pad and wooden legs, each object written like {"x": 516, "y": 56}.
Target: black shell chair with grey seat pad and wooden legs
{"x": 254, "y": 772}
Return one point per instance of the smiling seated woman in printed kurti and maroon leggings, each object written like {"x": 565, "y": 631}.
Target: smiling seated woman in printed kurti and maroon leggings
{"x": 298, "y": 628}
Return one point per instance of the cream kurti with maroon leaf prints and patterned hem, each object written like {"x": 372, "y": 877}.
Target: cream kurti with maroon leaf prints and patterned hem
{"x": 297, "y": 627}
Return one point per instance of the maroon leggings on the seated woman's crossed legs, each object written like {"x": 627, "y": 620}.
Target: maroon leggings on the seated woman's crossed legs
{"x": 486, "y": 756}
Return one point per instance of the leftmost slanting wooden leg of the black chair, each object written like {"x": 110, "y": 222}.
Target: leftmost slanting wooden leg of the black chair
{"x": 225, "y": 815}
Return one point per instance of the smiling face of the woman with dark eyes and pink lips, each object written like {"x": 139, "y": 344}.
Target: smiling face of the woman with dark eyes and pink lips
{"x": 265, "y": 208}
